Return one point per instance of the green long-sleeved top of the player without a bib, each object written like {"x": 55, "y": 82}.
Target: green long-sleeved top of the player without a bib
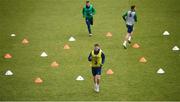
{"x": 88, "y": 12}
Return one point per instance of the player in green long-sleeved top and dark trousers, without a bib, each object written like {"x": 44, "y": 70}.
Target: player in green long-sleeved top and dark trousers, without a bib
{"x": 88, "y": 12}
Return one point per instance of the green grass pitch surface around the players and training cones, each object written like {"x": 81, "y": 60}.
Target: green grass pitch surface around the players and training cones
{"x": 48, "y": 24}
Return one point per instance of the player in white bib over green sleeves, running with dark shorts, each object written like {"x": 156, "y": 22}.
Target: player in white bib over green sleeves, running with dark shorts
{"x": 130, "y": 18}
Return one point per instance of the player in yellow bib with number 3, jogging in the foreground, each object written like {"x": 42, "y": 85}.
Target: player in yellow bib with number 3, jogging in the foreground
{"x": 97, "y": 58}
